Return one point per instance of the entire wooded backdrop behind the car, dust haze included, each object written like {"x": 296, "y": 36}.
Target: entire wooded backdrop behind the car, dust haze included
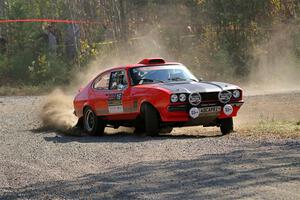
{"x": 249, "y": 42}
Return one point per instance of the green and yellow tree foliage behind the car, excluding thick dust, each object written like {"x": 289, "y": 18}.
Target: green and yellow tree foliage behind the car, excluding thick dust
{"x": 214, "y": 37}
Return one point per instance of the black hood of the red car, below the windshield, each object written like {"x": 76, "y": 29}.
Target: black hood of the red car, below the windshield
{"x": 203, "y": 86}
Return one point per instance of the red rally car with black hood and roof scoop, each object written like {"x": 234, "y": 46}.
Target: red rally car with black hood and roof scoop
{"x": 154, "y": 96}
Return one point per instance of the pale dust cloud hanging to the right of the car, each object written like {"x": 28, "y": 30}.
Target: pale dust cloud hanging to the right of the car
{"x": 277, "y": 69}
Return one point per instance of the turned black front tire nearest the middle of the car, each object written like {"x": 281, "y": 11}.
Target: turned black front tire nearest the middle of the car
{"x": 151, "y": 118}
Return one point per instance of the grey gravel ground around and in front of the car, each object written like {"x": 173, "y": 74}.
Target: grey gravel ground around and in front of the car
{"x": 191, "y": 163}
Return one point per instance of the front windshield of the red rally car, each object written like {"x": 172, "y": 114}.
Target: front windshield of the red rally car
{"x": 161, "y": 74}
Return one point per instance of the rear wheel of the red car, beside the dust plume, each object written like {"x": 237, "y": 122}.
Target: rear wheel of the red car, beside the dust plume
{"x": 92, "y": 124}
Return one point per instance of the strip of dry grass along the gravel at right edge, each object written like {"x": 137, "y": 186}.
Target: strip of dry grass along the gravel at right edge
{"x": 278, "y": 129}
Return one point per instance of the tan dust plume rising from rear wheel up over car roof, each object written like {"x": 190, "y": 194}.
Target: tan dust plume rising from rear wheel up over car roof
{"x": 57, "y": 110}
